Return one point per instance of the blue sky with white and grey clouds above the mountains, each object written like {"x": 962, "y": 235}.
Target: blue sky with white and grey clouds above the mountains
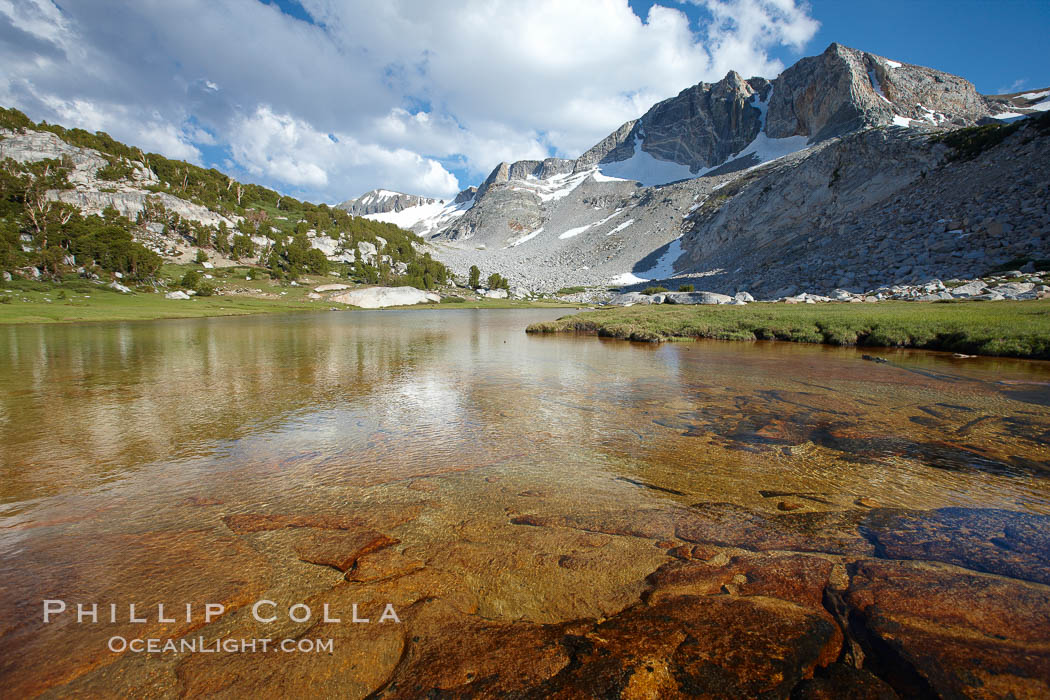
{"x": 327, "y": 99}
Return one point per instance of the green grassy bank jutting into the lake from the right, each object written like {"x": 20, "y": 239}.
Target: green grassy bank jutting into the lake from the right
{"x": 1009, "y": 329}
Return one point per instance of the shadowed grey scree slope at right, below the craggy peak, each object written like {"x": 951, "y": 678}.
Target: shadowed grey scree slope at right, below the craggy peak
{"x": 878, "y": 207}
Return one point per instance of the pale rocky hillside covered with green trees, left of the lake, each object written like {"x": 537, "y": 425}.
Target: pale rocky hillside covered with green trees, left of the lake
{"x": 74, "y": 201}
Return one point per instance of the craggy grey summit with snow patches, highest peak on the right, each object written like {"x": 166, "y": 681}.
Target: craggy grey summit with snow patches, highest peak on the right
{"x": 839, "y": 92}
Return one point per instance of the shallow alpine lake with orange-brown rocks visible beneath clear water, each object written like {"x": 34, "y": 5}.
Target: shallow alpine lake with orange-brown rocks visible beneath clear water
{"x": 514, "y": 516}
